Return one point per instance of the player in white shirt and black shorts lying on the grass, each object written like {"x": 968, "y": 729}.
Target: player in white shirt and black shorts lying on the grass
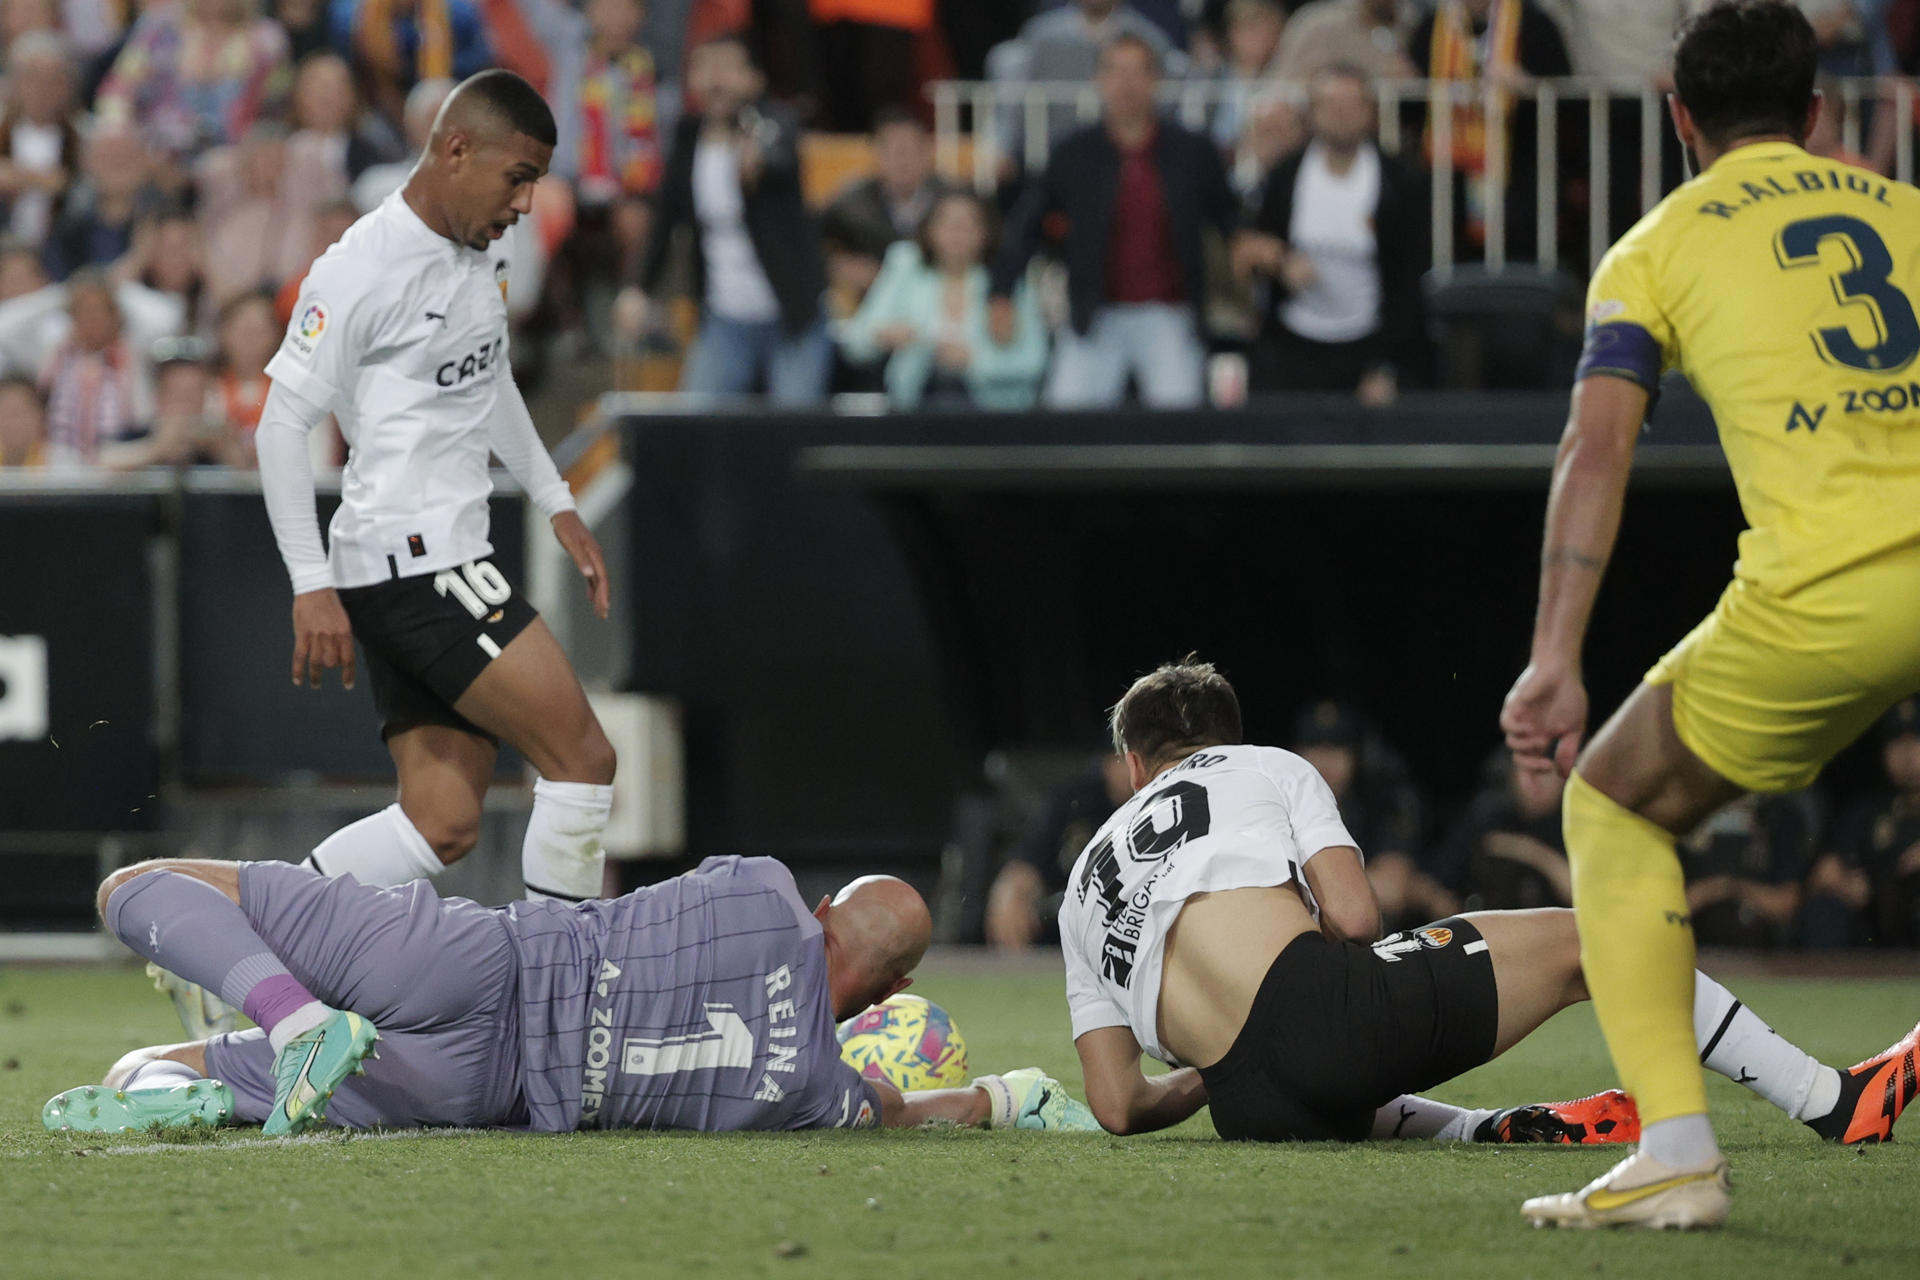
{"x": 1222, "y": 922}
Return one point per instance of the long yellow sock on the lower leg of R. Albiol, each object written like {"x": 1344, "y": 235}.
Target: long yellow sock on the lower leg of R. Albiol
{"x": 1637, "y": 949}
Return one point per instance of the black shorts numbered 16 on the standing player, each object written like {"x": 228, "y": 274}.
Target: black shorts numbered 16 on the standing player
{"x": 429, "y": 638}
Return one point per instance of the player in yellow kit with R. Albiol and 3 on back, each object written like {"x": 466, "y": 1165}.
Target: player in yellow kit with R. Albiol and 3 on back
{"x": 1783, "y": 287}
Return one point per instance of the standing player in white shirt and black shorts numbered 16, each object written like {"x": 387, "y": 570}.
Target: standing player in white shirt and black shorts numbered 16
{"x": 402, "y": 335}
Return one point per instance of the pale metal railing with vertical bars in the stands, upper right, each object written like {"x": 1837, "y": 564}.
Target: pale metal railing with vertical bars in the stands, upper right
{"x": 1011, "y": 120}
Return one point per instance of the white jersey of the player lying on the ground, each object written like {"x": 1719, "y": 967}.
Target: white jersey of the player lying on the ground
{"x": 1224, "y": 818}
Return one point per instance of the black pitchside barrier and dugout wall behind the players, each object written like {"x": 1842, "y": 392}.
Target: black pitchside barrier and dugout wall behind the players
{"x": 852, "y": 613}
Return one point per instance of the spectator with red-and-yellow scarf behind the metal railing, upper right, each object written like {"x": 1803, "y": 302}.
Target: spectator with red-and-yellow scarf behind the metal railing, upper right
{"x": 1506, "y": 45}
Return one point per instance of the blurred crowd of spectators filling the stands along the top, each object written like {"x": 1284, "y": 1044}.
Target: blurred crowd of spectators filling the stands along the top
{"x": 170, "y": 170}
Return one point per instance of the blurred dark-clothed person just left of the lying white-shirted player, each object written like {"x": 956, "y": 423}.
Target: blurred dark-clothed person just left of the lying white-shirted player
{"x": 1024, "y": 903}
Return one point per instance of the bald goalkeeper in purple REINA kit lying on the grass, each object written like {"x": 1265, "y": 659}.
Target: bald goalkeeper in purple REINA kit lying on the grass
{"x": 704, "y": 1003}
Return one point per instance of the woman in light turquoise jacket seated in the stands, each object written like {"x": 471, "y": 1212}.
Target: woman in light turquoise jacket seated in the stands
{"x": 928, "y": 316}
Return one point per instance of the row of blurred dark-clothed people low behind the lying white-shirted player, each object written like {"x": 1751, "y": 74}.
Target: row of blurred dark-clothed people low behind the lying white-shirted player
{"x": 1767, "y": 872}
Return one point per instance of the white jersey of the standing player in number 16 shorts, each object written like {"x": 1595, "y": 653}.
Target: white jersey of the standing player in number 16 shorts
{"x": 402, "y": 335}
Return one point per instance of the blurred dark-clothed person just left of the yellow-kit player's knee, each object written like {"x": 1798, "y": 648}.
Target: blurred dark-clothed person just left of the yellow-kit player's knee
{"x": 1508, "y": 847}
